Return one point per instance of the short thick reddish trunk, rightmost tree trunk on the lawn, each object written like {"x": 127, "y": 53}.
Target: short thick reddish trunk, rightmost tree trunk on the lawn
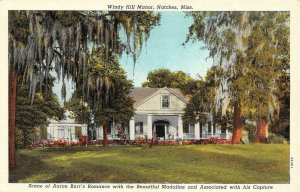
{"x": 261, "y": 133}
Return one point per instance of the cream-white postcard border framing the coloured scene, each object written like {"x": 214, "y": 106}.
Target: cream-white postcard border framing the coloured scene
{"x": 212, "y": 5}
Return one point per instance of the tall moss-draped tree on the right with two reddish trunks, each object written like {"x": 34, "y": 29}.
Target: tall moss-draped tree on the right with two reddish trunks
{"x": 248, "y": 47}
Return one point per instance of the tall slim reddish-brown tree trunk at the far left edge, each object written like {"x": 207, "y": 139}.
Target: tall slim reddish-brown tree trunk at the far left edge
{"x": 12, "y": 118}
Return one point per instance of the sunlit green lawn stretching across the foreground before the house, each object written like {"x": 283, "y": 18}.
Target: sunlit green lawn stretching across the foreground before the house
{"x": 259, "y": 163}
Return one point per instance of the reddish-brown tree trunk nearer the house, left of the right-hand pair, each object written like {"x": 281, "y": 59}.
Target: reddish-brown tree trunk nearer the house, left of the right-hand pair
{"x": 237, "y": 123}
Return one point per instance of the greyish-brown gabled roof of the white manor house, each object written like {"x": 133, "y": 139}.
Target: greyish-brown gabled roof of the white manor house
{"x": 141, "y": 94}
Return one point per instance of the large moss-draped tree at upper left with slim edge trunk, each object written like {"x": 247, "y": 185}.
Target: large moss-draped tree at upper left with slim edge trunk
{"x": 41, "y": 41}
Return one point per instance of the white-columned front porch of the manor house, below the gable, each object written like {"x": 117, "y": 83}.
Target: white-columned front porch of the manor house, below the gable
{"x": 164, "y": 127}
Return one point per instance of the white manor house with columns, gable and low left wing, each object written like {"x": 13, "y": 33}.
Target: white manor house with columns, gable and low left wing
{"x": 158, "y": 111}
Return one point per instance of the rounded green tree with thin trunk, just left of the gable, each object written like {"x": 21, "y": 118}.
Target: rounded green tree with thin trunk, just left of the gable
{"x": 116, "y": 106}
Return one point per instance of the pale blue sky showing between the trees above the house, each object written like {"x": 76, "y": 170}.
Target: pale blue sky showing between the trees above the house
{"x": 163, "y": 49}
